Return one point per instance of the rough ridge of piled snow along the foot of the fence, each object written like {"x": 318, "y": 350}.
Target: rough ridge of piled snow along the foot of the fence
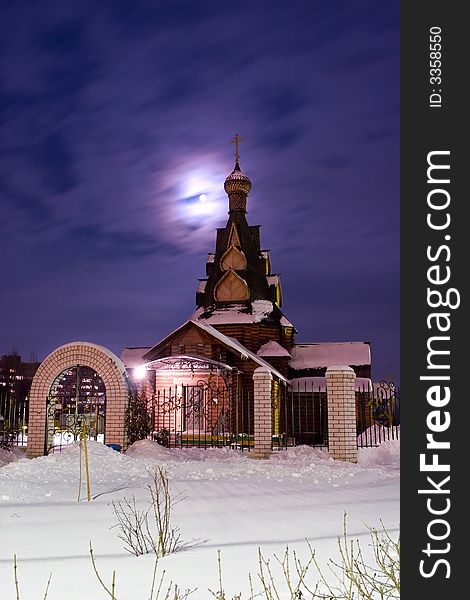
{"x": 56, "y": 478}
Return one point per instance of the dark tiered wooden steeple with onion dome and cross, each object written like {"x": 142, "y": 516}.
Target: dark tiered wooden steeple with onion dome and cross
{"x": 240, "y": 296}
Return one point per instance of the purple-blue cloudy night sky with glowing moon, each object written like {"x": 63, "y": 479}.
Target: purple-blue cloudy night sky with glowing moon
{"x": 114, "y": 120}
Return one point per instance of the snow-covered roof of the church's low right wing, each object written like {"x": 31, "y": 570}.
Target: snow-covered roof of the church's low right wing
{"x": 310, "y": 356}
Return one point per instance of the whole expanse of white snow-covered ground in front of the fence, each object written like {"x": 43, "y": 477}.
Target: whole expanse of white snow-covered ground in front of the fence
{"x": 233, "y": 504}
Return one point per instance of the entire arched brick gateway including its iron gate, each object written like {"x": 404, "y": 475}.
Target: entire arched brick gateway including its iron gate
{"x": 57, "y": 411}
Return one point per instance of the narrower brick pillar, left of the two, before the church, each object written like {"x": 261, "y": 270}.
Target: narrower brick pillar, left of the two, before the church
{"x": 262, "y": 379}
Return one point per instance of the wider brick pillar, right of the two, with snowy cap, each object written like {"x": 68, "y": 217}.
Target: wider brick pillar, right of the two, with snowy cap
{"x": 342, "y": 440}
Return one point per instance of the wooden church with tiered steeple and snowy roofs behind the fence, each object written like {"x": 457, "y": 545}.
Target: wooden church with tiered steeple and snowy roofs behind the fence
{"x": 198, "y": 379}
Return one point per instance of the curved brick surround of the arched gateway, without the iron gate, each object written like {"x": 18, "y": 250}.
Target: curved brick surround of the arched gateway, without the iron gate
{"x": 108, "y": 366}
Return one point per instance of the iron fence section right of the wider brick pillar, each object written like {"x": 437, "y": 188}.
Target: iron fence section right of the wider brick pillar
{"x": 378, "y": 414}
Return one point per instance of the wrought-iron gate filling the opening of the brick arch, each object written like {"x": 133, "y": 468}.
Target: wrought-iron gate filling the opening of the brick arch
{"x": 76, "y": 407}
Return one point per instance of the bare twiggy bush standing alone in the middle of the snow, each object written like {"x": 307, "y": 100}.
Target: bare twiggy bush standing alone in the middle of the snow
{"x": 150, "y": 529}
